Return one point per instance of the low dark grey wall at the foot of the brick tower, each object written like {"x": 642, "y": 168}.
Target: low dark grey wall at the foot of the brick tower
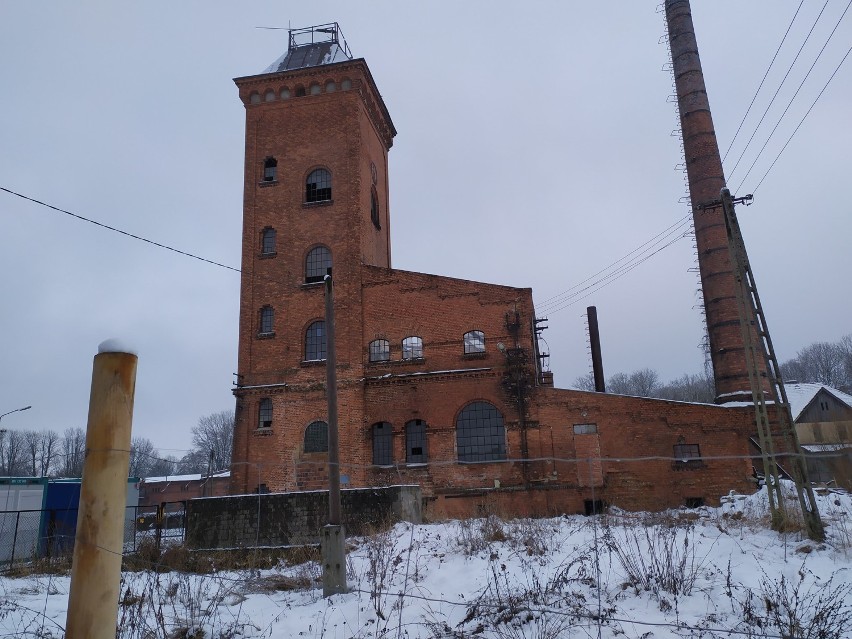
{"x": 282, "y": 519}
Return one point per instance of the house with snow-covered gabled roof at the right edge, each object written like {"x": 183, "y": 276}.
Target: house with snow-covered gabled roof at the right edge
{"x": 823, "y": 418}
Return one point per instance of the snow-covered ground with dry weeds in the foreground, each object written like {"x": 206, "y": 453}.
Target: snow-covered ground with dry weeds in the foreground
{"x": 691, "y": 573}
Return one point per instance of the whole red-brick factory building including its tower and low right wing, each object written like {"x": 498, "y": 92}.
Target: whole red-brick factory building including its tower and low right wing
{"x": 439, "y": 378}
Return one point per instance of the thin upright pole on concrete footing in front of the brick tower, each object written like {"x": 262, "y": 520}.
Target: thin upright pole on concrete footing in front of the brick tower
{"x": 333, "y": 536}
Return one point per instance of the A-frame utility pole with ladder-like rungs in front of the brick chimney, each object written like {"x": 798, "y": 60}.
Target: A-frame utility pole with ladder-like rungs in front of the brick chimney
{"x": 758, "y": 347}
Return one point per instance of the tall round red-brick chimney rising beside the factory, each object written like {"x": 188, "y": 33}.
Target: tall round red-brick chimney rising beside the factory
{"x": 706, "y": 179}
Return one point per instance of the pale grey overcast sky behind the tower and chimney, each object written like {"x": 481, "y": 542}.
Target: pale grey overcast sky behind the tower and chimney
{"x": 534, "y": 149}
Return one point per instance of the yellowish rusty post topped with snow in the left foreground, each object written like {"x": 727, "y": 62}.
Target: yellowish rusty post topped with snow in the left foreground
{"x": 98, "y": 546}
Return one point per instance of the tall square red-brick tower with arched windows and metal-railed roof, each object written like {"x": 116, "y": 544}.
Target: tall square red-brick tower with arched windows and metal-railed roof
{"x": 315, "y": 194}
